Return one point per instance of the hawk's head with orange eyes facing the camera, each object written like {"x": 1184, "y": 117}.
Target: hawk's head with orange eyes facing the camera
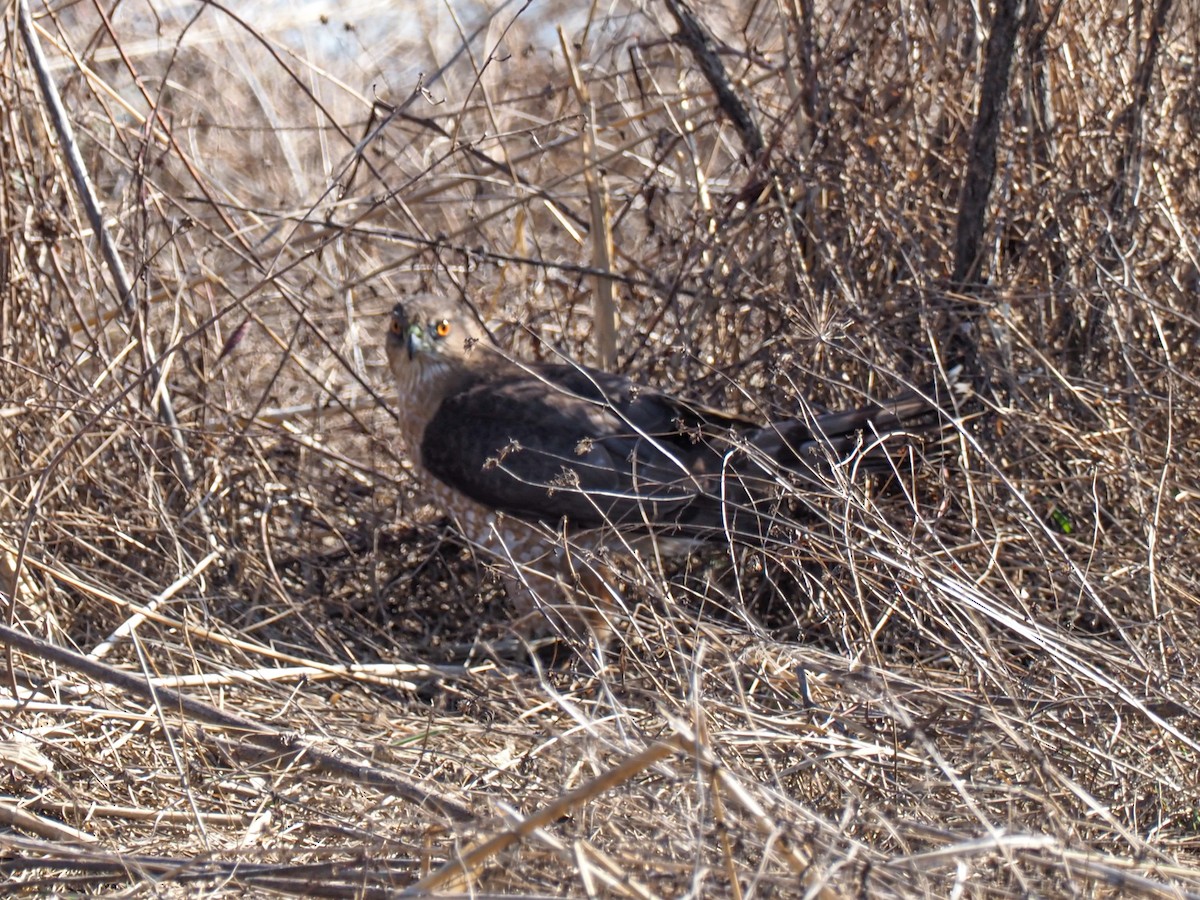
{"x": 429, "y": 343}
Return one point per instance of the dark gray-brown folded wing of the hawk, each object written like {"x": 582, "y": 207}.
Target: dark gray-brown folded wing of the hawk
{"x": 568, "y": 442}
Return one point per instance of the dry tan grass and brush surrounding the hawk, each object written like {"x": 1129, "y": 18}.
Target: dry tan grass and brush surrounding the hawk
{"x": 981, "y": 685}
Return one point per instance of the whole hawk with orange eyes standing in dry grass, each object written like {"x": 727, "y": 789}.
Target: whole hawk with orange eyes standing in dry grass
{"x": 548, "y": 467}
